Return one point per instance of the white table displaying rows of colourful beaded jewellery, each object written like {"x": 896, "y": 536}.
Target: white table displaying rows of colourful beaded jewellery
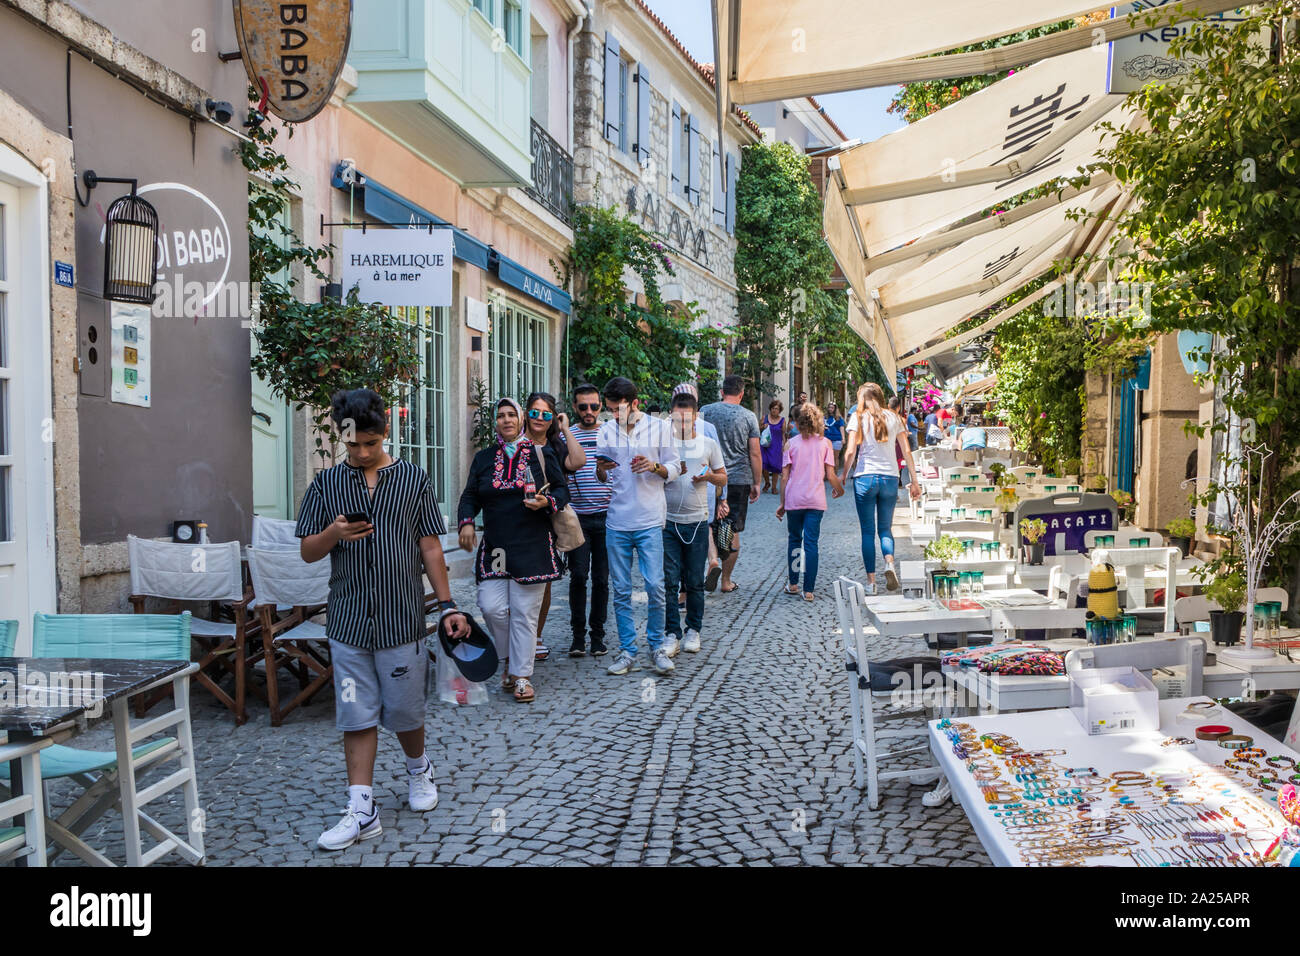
{"x": 1059, "y": 729}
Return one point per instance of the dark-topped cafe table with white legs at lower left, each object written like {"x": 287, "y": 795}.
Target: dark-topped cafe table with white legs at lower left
{"x": 58, "y": 698}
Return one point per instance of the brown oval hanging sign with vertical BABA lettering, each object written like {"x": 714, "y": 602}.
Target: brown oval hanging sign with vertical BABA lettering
{"x": 294, "y": 51}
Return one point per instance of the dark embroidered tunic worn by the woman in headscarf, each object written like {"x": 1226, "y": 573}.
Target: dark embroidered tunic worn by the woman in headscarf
{"x": 517, "y": 543}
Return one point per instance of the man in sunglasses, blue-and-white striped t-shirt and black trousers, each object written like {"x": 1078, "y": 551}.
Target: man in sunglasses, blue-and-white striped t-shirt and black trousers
{"x": 591, "y": 500}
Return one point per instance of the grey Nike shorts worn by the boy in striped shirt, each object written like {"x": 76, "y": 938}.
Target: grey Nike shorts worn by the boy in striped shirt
{"x": 379, "y": 687}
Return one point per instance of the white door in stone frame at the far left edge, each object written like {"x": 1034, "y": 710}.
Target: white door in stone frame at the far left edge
{"x": 27, "y": 520}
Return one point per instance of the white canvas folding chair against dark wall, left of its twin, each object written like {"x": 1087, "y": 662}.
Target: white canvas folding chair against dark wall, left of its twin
{"x": 211, "y": 573}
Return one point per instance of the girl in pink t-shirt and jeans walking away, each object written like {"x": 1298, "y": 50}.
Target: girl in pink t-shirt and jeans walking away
{"x": 808, "y": 462}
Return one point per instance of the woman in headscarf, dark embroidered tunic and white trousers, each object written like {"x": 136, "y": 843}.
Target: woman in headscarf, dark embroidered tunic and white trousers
{"x": 518, "y": 486}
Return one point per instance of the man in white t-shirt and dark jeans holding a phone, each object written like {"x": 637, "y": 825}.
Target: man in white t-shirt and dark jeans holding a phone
{"x": 686, "y": 534}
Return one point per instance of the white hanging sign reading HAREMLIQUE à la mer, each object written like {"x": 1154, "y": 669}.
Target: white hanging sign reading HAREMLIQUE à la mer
{"x": 398, "y": 267}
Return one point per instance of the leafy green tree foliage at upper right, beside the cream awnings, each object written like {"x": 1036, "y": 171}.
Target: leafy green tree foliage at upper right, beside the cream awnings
{"x": 1216, "y": 218}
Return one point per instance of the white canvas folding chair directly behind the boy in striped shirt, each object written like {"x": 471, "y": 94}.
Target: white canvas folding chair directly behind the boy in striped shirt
{"x": 296, "y": 643}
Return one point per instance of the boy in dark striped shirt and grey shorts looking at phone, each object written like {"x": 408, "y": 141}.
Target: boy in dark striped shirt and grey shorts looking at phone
{"x": 376, "y": 621}
